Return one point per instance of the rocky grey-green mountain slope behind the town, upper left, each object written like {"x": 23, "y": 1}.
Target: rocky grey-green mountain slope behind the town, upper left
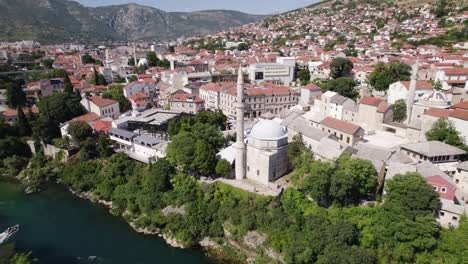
{"x": 67, "y": 21}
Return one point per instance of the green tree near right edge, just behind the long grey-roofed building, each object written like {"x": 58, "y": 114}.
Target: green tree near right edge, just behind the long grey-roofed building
{"x": 445, "y": 131}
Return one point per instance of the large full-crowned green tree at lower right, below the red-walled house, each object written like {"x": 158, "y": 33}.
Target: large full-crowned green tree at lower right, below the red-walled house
{"x": 405, "y": 223}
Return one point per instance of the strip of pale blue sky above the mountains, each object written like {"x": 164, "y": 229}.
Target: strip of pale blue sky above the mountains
{"x": 249, "y": 6}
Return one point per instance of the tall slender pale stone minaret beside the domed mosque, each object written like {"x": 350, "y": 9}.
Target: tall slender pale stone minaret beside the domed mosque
{"x": 240, "y": 144}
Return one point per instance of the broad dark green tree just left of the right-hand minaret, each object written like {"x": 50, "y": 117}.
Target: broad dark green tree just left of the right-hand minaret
{"x": 385, "y": 74}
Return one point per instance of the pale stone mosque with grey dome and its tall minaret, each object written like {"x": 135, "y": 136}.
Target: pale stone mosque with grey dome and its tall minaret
{"x": 263, "y": 156}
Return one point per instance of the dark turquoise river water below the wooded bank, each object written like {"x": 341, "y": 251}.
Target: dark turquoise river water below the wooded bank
{"x": 60, "y": 228}
